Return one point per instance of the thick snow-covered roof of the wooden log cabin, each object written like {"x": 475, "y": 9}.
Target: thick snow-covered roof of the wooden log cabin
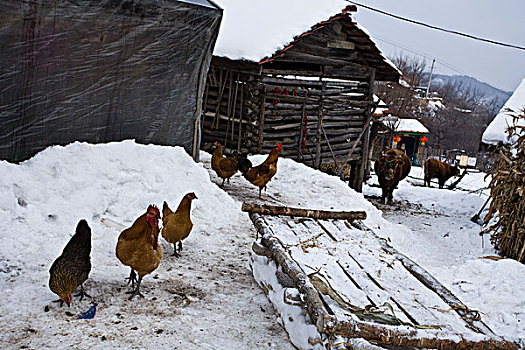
{"x": 261, "y": 31}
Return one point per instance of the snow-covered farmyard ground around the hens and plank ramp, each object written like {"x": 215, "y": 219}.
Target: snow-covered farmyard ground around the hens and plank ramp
{"x": 207, "y": 299}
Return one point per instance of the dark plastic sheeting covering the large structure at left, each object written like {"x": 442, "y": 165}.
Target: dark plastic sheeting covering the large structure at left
{"x": 101, "y": 71}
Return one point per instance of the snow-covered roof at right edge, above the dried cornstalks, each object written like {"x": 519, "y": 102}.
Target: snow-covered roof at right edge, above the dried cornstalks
{"x": 497, "y": 129}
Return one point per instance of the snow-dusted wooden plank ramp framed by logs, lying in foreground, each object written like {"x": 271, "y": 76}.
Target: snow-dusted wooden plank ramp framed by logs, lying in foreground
{"x": 355, "y": 285}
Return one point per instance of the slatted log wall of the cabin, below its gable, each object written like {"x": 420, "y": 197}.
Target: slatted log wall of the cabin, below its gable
{"x": 317, "y": 121}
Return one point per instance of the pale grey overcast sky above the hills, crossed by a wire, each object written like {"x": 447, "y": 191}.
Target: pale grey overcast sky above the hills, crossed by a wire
{"x": 503, "y": 21}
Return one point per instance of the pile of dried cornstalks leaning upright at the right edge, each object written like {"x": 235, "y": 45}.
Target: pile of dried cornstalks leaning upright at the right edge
{"x": 507, "y": 190}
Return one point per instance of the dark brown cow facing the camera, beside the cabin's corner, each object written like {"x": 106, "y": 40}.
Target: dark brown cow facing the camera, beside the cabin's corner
{"x": 392, "y": 166}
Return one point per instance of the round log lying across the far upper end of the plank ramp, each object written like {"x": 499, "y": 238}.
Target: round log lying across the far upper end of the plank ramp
{"x": 307, "y": 213}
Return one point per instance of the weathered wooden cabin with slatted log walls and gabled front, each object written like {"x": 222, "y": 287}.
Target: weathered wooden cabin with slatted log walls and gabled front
{"x": 314, "y": 96}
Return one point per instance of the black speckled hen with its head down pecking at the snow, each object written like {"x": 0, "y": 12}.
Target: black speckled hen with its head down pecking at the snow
{"x": 72, "y": 268}
